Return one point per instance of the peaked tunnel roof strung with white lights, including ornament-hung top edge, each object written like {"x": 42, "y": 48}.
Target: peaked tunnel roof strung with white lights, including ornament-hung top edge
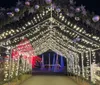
{"x": 63, "y": 28}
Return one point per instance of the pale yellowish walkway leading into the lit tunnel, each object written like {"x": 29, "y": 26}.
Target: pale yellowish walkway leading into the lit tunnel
{"x": 49, "y": 80}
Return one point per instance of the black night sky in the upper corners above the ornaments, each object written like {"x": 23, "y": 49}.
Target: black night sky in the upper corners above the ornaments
{"x": 91, "y": 5}
